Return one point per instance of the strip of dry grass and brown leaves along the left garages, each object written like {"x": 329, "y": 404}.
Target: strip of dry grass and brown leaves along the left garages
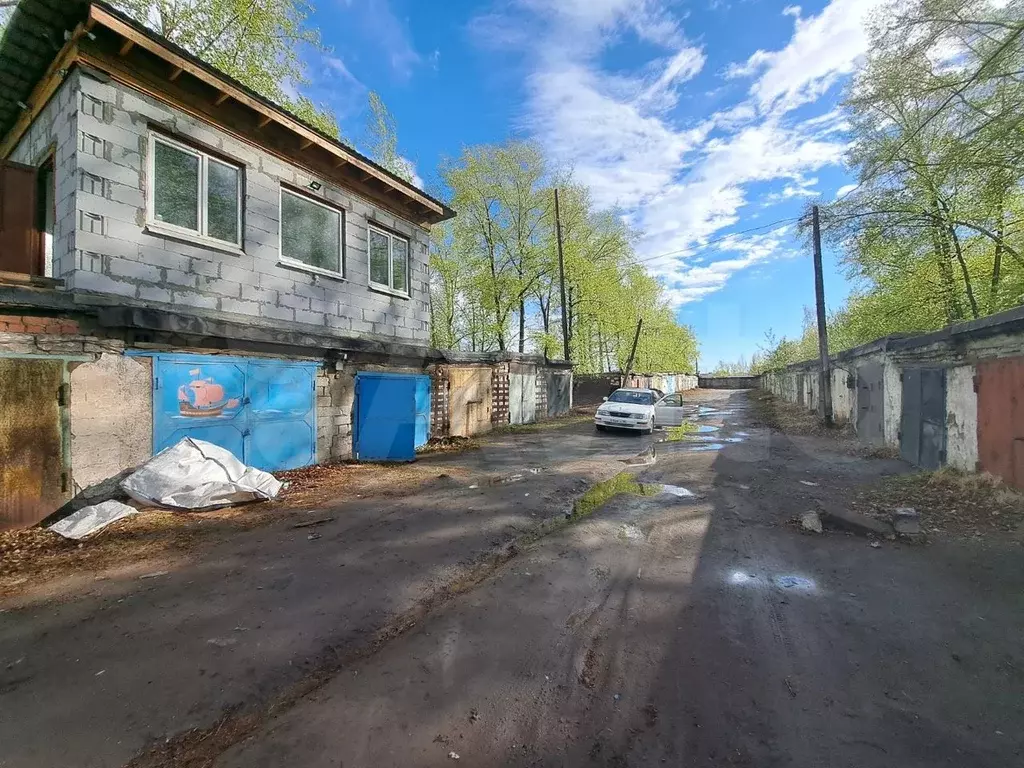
{"x": 33, "y": 557}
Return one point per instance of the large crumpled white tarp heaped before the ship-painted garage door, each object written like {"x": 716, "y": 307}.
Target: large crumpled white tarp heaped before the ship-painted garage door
{"x": 196, "y": 475}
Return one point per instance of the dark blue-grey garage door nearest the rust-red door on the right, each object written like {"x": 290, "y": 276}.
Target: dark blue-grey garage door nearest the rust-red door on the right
{"x": 923, "y": 426}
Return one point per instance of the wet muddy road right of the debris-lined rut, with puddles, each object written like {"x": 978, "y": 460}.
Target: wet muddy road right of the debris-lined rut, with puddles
{"x": 697, "y": 630}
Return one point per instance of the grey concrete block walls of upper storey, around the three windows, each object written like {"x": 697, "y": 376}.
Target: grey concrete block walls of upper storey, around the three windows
{"x": 108, "y": 248}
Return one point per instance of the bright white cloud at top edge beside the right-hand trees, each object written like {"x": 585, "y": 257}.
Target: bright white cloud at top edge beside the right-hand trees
{"x": 824, "y": 50}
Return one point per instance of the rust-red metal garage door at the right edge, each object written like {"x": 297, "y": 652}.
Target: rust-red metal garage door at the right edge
{"x": 1001, "y": 419}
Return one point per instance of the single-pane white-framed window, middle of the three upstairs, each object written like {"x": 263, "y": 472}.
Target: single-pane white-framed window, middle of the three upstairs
{"x": 313, "y": 234}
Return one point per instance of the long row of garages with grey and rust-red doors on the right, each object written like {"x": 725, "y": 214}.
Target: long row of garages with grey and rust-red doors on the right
{"x": 947, "y": 399}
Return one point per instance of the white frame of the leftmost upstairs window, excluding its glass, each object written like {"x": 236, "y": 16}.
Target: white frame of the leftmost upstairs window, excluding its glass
{"x": 202, "y": 217}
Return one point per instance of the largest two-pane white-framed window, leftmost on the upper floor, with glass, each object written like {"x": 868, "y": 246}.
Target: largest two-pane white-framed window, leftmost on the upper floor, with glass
{"x": 194, "y": 194}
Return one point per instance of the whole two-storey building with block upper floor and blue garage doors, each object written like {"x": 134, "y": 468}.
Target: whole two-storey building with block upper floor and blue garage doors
{"x": 180, "y": 257}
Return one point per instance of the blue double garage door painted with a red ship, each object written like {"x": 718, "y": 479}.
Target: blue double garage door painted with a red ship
{"x": 262, "y": 411}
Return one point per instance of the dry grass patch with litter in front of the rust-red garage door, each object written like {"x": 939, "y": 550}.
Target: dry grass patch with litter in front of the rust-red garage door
{"x": 950, "y": 501}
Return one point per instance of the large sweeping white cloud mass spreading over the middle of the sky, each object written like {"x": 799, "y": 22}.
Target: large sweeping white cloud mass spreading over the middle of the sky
{"x": 678, "y": 182}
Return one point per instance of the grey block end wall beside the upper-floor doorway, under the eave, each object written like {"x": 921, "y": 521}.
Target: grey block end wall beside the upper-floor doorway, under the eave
{"x": 56, "y": 131}
